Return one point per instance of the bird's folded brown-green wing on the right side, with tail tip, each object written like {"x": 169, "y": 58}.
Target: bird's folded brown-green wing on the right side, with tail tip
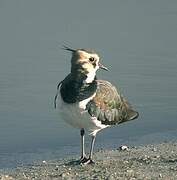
{"x": 108, "y": 106}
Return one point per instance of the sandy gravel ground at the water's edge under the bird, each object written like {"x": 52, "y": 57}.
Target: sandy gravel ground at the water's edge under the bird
{"x": 157, "y": 161}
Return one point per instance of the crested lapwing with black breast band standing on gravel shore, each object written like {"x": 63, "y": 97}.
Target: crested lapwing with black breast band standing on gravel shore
{"x": 87, "y": 103}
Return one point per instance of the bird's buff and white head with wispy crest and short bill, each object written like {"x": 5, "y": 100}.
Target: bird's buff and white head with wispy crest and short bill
{"x": 85, "y": 61}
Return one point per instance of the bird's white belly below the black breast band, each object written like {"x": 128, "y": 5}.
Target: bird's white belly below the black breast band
{"x": 76, "y": 115}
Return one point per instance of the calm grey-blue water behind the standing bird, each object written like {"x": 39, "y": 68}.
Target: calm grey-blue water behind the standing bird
{"x": 137, "y": 40}
